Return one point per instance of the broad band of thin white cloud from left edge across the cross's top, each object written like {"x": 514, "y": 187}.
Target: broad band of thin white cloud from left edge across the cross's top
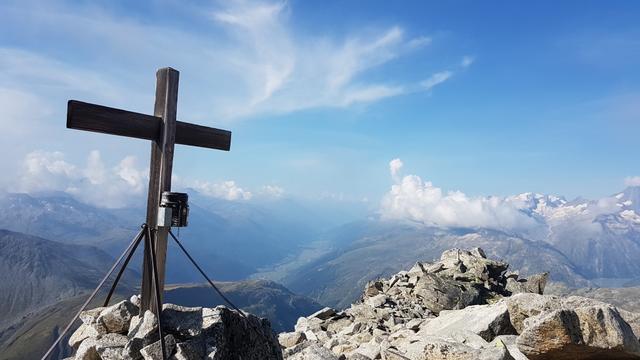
{"x": 249, "y": 59}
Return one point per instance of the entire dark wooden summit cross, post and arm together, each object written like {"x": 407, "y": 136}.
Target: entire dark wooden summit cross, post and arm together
{"x": 164, "y": 131}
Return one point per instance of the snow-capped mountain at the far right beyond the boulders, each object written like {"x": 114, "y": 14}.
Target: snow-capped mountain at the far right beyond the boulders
{"x": 602, "y": 237}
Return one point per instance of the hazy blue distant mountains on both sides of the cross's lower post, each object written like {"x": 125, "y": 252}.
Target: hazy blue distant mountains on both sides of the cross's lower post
{"x": 235, "y": 238}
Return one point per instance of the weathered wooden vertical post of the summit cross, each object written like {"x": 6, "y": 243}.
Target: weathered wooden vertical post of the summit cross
{"x": 160, "y": 168}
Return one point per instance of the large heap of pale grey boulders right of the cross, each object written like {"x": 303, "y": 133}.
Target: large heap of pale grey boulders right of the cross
{"x": 464, "y": 306}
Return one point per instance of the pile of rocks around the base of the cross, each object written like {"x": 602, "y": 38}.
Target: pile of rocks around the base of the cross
{"x": 190, "y": 333}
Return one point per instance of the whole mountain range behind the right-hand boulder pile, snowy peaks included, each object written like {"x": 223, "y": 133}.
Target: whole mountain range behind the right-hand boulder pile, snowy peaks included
{"x": 580, "y": 242}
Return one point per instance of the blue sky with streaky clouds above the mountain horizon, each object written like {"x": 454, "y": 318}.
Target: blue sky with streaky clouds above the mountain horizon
{"x": 490, "y": 98}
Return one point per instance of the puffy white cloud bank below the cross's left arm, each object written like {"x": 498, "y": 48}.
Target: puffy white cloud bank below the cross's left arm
{"x": 95, "y": 183}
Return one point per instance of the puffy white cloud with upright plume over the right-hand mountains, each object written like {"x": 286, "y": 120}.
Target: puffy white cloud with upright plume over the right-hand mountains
{"x": 416, "y": 200}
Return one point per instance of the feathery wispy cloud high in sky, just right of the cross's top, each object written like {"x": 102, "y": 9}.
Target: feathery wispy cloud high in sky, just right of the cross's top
{"x": 284, "y": 73}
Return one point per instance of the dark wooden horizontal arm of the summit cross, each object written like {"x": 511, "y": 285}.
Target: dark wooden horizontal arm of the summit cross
{"x": 103, "y": 119}
